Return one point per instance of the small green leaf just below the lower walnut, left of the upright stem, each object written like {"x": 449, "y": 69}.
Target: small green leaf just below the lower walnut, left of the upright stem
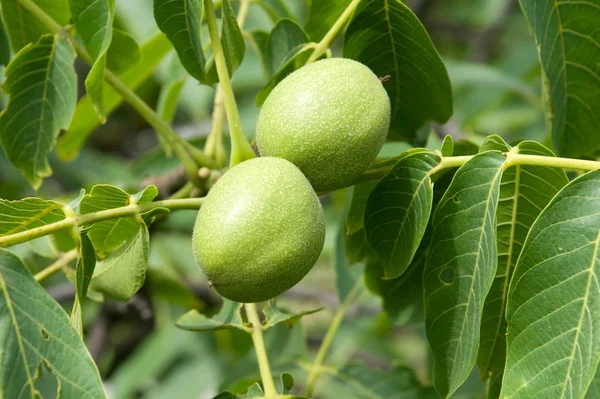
{"x": 228, "y": 317}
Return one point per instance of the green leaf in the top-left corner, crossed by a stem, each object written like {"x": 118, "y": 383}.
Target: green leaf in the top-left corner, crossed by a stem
{"x": 24, "y": 28}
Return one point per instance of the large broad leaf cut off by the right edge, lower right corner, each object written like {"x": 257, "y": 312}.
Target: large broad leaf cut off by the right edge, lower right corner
{"x": 553, "y": 309}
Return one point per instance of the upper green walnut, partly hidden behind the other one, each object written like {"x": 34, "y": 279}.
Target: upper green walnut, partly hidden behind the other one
{"x": 330, "y": 118}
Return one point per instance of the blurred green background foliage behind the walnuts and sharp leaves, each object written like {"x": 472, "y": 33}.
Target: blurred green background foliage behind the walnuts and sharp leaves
{"x": 492, "y": 62}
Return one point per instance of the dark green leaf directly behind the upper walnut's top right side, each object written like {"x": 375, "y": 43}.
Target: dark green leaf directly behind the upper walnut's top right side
{"x": 386, "y": 36}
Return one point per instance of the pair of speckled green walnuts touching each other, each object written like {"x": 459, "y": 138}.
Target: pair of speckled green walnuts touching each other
{"x": 261, "y": 228}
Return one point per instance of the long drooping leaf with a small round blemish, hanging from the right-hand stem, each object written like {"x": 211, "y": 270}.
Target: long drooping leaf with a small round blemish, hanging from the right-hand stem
{"x": 460, "y": 268}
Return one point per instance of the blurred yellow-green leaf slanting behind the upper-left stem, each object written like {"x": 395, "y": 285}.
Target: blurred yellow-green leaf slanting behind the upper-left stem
{"x": 85, "y": 121}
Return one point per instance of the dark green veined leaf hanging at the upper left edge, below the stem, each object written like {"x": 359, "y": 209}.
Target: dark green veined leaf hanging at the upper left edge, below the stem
{"x": 42, "y": 92}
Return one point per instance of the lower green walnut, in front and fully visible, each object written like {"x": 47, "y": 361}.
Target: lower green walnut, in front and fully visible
{"x": 259, "y": 231}
